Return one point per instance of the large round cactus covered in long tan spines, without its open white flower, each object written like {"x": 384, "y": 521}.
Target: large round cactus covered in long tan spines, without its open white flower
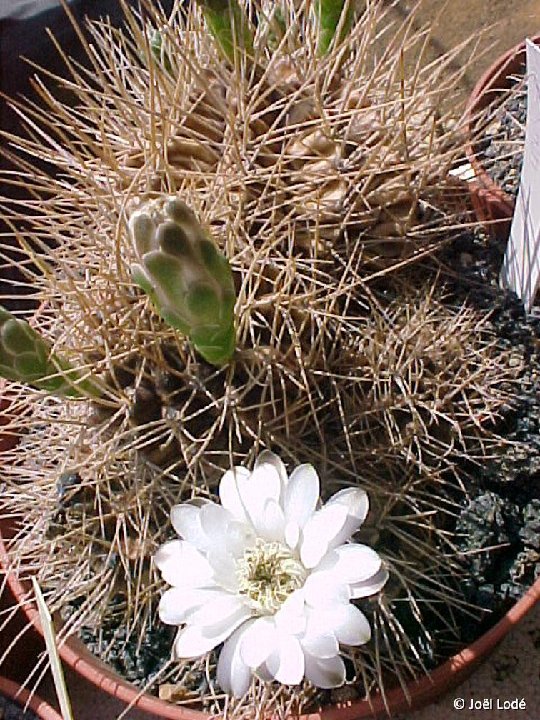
{"x": 320, "y": 176}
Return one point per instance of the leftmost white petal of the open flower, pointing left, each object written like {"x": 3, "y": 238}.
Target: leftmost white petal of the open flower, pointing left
{"x": 182, "y": 565}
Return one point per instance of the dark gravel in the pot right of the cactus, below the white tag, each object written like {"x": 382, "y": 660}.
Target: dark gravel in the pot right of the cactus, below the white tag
{"x": 502, "y": 516}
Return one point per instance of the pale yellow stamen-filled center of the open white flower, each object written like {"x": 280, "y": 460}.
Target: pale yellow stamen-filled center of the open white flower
{"x": 268, "y": 573}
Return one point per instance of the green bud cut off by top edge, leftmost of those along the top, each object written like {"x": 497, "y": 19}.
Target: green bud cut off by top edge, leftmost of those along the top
{"x": 230, "y": 27}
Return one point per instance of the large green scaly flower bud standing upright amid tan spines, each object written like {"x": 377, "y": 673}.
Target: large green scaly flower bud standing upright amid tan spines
{"x": 188, "y": 280}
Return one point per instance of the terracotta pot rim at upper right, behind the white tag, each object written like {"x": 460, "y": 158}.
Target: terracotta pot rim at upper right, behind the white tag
{"x": 492, "y": 205}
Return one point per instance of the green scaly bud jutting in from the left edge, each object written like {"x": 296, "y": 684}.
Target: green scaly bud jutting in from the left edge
{"x": 26, "y": 357}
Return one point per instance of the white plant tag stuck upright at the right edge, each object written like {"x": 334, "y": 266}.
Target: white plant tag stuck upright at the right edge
{"x": 521, "y": 265}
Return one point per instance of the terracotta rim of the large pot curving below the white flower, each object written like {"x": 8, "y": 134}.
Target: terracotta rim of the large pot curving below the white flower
{"x": 450, "y": 674}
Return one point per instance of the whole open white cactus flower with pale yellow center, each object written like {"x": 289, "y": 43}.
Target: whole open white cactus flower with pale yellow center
{"x": 271, "y": 576}
